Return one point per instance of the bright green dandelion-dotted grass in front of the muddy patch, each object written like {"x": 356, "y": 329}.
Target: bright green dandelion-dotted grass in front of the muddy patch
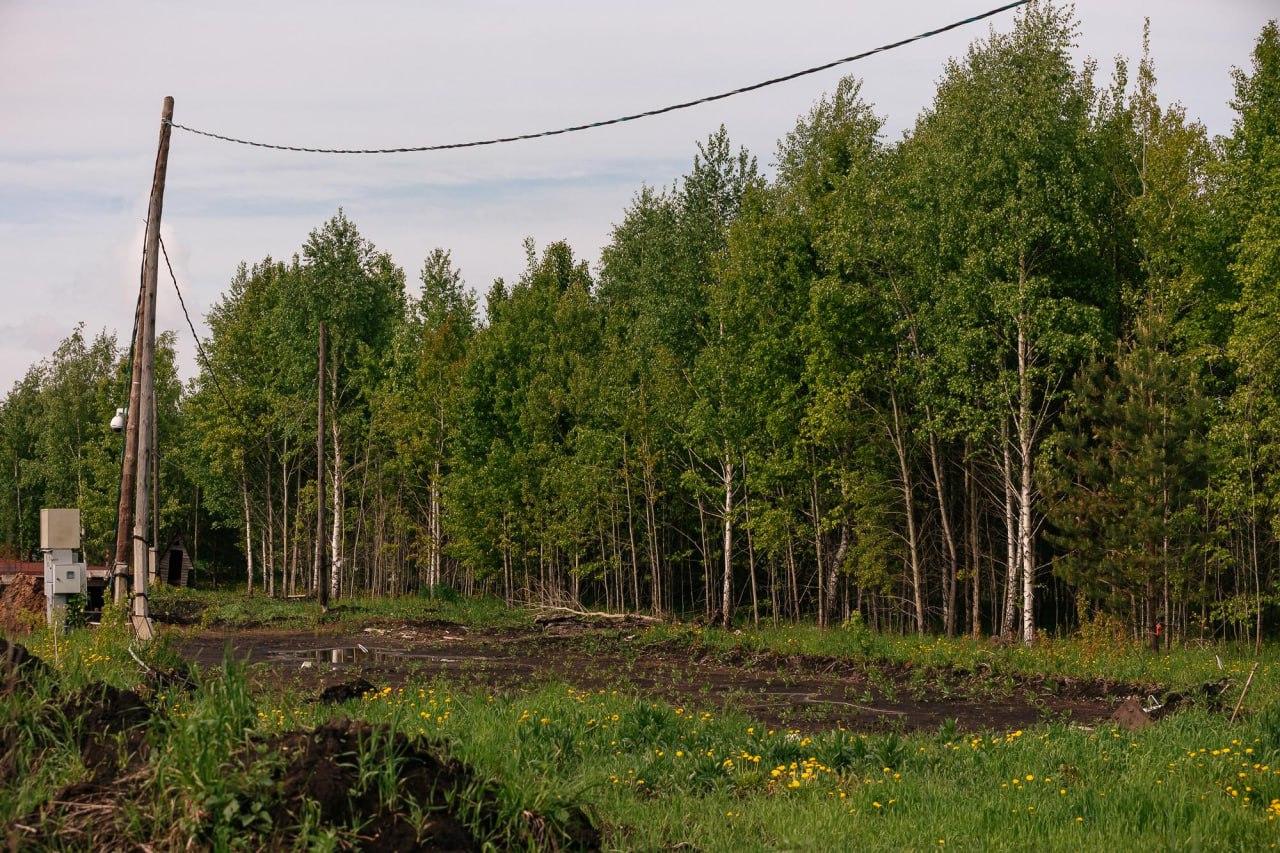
{"x": 661, "y": 777}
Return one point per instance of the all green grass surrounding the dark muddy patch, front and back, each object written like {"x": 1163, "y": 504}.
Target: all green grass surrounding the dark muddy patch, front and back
{"x": 656, "y": 776}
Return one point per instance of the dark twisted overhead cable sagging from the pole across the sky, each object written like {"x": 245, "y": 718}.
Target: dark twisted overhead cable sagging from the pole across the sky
{"x": 633, "y": 117}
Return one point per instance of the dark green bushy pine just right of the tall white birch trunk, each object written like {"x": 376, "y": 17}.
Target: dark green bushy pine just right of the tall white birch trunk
{"x": 1126, "y": 471}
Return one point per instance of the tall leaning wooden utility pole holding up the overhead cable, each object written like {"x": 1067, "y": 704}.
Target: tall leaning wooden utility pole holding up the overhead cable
{"x": 140, "y": 612}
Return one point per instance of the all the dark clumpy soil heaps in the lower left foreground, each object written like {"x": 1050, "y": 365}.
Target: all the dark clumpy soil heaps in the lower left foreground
{"x": 431, "y": 802}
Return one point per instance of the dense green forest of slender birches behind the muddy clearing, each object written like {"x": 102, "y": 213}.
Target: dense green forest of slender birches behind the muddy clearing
{"x": 1016, "y": 371}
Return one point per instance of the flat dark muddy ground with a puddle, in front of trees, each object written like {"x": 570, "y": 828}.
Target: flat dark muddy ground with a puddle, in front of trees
{"x": 798, "y": 692}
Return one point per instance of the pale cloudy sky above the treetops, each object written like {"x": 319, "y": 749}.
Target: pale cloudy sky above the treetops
{"x": 83, "y": 84}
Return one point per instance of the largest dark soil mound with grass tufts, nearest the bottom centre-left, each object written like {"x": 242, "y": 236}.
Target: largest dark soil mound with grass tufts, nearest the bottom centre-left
{"x": 323, "y": 773}
